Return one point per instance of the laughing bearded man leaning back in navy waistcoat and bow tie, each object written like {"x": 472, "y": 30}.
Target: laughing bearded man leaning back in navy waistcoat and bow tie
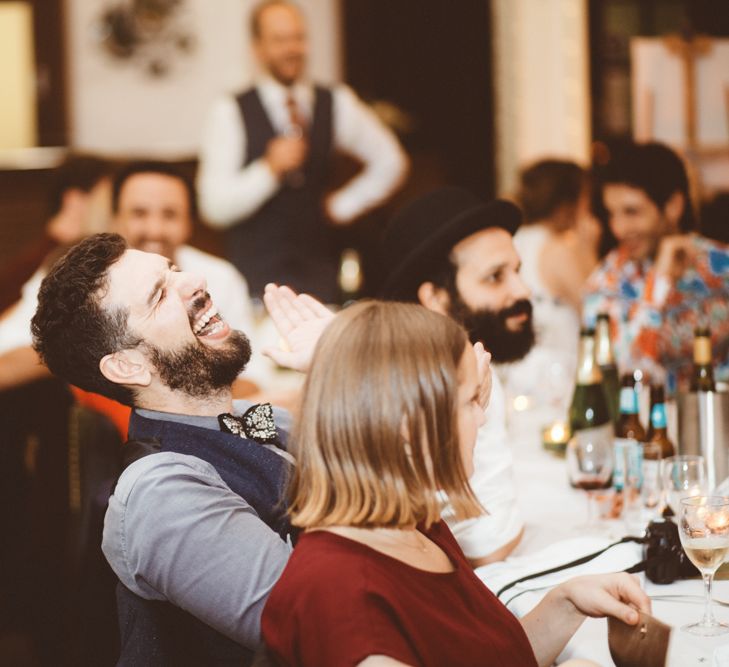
{"x": 196, "y": 531}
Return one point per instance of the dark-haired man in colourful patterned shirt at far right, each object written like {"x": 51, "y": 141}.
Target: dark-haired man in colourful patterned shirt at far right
{"x": 661, "y": 279}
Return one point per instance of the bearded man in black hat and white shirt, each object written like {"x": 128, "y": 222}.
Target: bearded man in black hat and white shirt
{"x": 453, "y": 253}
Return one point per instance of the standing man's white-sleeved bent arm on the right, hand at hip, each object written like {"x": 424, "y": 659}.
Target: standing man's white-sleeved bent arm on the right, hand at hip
{"x": 359, "y": 132}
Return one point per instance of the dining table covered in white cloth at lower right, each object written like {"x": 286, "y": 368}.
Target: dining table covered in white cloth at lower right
{"x": 555, "y": 516}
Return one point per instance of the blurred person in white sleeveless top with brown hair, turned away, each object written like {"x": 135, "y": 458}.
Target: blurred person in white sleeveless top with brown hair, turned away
{"x": 558, "y": 245}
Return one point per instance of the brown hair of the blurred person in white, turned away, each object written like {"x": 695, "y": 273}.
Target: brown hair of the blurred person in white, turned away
{"x": 547, "y": 185}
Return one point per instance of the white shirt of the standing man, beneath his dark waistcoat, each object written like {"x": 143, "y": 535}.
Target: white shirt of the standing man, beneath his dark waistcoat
{"x": 230, "y": 192}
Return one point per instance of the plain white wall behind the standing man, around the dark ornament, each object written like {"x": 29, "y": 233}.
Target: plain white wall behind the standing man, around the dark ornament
{"x": 117, "y": 108}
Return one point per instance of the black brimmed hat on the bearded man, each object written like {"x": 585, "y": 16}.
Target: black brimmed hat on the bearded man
{"x": 423, "y": 232}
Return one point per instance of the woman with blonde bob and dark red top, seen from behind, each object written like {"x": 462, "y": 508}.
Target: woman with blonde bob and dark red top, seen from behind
{"x": 391, "y": 407}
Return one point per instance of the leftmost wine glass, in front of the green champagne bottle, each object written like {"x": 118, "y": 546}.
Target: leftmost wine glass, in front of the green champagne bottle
{"x": 590, "y": 465}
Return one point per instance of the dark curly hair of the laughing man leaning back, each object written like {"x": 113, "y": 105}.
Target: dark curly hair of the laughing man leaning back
{"x": 71, "y": 331}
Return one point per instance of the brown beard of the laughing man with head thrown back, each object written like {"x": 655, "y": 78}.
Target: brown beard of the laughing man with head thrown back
{"x": 198, "y": 370}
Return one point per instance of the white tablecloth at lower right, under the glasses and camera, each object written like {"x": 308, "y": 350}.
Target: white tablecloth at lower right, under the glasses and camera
{"x": 553, "y": 511}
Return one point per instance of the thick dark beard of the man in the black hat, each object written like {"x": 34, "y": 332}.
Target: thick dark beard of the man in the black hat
{"x": 489, "y": 327}
